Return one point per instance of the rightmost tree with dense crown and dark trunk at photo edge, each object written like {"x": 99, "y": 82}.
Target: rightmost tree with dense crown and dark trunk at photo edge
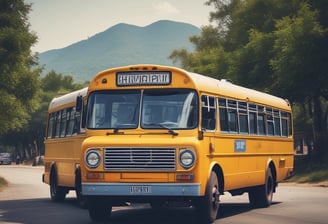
{"x": 300, "y": 55}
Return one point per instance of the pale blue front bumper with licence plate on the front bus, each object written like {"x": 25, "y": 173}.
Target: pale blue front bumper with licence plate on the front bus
{"x": 138, "y": 189}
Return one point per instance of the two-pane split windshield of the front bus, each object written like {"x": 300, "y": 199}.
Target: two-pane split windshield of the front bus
{"x": 151, "y": 108}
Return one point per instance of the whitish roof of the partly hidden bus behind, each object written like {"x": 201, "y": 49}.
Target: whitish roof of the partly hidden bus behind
{"x": 63, "y": 101}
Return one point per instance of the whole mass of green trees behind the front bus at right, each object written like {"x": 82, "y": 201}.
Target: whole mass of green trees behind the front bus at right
{"x": 275, "y": 46}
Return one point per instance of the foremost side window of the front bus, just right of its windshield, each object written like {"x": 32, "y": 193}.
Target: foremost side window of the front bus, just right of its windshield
{"x": 208, "y": 113}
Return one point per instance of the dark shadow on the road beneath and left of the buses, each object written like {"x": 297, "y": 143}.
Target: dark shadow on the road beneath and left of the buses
{"x": 40, "y": 211}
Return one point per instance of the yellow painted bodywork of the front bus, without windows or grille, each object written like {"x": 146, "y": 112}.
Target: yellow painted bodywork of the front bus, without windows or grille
{"x": 240, "y": 169}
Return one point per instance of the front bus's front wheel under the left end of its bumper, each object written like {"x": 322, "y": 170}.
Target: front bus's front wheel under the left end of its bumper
{"x": 99, "y": 209}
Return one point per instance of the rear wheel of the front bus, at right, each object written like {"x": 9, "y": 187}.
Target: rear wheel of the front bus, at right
{"x": 261, "y": 196}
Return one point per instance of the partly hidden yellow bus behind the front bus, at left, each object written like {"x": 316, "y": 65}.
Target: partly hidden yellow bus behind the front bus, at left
{"x": 64, "y": 136}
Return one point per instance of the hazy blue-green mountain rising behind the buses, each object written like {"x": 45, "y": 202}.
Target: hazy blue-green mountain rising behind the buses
{"x": 122, "y": 44}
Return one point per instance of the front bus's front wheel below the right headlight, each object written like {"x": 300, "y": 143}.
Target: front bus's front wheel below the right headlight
{"x": 207, "y": 207}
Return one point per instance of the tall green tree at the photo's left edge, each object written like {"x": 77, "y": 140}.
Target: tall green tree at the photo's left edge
{"x": 19, "y": 76}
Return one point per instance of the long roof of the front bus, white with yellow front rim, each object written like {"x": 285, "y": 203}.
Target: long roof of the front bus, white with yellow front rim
{"x": 207, "y": 84}
